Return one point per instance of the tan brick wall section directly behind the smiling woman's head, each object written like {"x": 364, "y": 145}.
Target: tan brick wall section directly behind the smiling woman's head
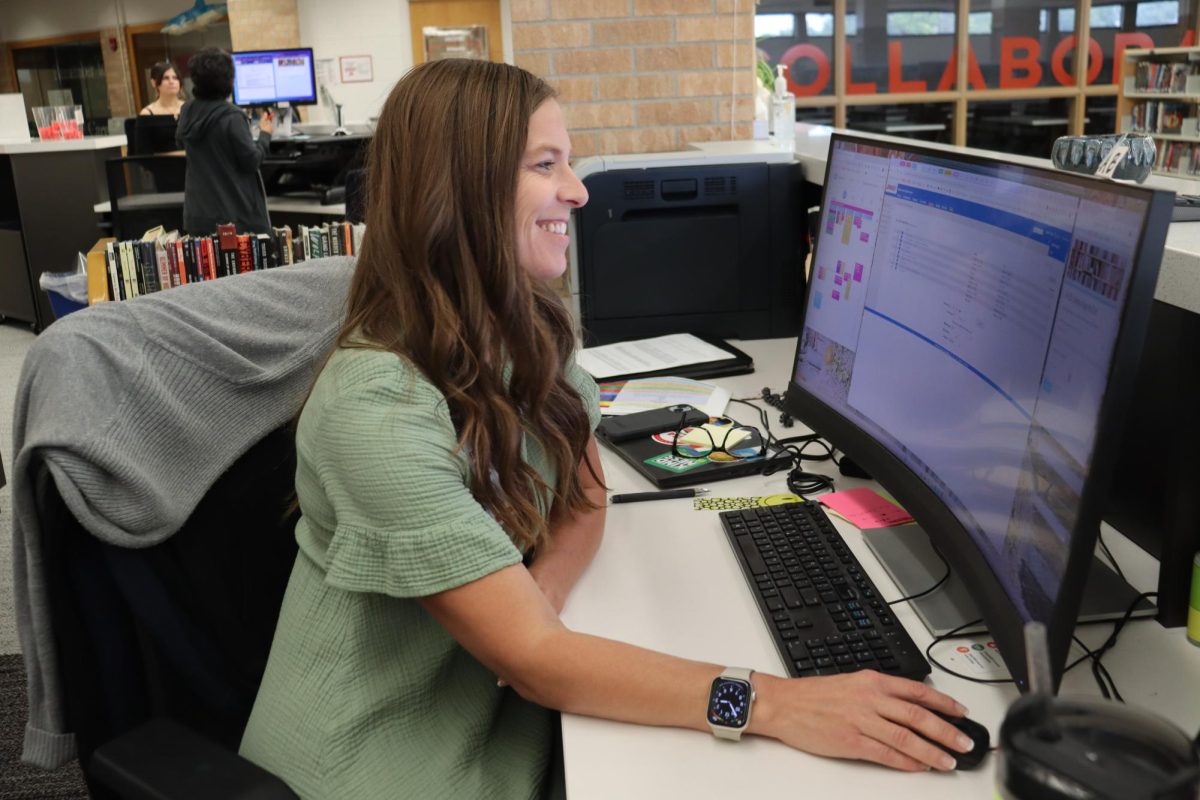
{"x": 643, "y": 76}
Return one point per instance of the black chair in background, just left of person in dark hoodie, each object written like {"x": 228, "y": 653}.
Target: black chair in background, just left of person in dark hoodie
{"x": 146, "y": 191}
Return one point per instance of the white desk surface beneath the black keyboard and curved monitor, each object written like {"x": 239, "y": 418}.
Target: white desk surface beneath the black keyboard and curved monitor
{"x": 665, "y": 579}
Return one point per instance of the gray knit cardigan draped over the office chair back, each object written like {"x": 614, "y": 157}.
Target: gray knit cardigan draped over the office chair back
{"x": 137, "y": 408}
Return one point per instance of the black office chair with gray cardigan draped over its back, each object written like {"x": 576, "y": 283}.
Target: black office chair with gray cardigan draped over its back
{"x": 163, "y": 649}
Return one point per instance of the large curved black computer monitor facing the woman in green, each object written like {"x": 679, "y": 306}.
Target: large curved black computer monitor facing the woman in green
{"x": 971, "y": 334}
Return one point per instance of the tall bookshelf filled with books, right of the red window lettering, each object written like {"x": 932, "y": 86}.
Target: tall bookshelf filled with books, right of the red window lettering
{"x": 1161, "y": 97}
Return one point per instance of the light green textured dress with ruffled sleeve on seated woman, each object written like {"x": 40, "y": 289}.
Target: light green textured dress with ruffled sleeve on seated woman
{"x": 365, "y": 695}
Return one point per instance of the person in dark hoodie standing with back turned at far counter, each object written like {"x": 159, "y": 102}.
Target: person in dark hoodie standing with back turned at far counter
{"x": 223, "y": 183}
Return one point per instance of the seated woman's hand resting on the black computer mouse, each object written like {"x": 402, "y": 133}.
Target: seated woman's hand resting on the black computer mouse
{"x": 866, "y": 715}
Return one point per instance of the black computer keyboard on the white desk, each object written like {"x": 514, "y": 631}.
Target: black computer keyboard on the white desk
{"x": 823, "y": 610}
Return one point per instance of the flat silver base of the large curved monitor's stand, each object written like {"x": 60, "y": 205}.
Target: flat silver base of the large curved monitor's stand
{"x": 908, "y": 556}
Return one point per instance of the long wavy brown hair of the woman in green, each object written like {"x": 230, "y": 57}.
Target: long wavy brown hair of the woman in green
{"x": 439, "y": 284}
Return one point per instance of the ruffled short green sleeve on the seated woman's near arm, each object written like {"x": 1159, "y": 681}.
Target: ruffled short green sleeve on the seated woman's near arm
{"x": 404, "y": 520}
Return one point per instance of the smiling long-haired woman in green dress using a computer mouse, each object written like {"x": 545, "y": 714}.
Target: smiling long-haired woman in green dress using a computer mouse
{"x": 452, "y": 496}
